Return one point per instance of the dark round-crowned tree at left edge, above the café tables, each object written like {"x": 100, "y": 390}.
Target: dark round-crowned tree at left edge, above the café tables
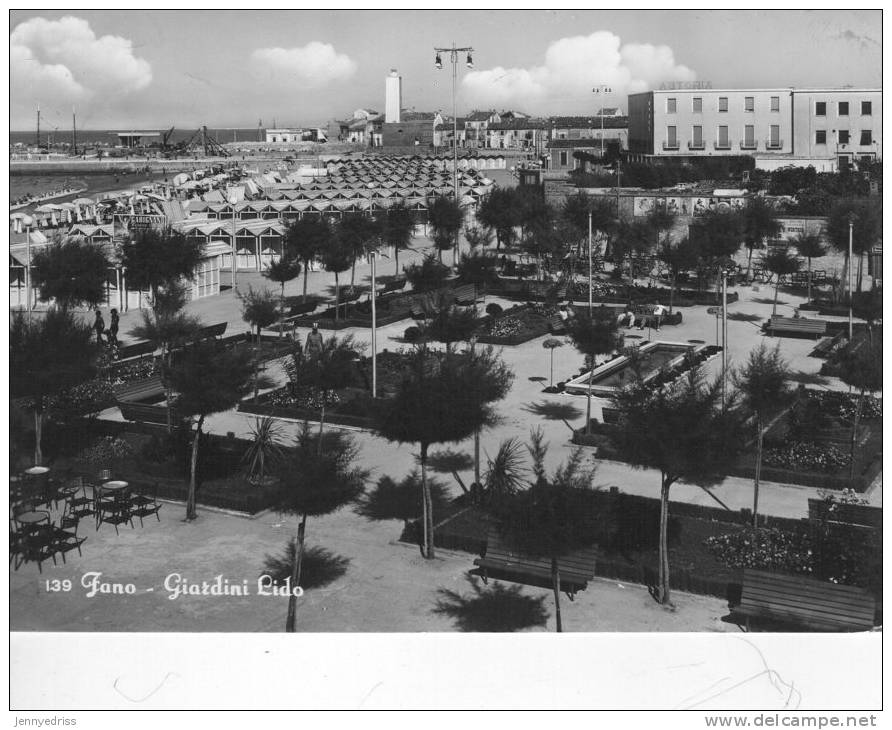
{"x": 46, "y": 357}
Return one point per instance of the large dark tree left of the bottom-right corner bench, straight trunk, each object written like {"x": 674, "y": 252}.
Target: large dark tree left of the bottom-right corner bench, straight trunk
{"x": 680, "y": 430}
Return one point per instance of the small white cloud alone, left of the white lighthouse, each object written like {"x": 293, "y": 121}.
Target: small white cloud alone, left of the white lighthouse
{"x": 312, "y": 65}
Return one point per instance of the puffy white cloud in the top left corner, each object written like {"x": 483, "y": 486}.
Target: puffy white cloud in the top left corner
{"x": 63, "y": 60}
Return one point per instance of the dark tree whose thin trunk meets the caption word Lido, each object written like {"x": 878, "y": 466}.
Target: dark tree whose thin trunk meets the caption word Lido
{"x": 317, "y": 479}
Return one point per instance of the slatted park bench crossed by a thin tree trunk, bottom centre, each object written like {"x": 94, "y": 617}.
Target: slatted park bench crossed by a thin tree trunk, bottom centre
{"x": 501, "y": 562}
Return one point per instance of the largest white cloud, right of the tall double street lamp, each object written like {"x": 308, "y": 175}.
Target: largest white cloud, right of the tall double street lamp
{"x": 571, "y": 68}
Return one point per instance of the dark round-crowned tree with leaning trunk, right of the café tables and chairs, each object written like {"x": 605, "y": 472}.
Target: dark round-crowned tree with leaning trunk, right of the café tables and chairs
{"x": 209, "y": 380}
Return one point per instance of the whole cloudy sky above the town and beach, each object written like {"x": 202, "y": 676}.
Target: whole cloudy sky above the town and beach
{"x": 159, "y": 68}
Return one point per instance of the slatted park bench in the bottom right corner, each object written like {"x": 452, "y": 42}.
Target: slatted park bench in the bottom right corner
{"x": 775, "y": 599}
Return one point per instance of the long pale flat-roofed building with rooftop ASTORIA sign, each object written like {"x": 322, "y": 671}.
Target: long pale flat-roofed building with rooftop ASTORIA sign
{"x": 825, "y": 128}
